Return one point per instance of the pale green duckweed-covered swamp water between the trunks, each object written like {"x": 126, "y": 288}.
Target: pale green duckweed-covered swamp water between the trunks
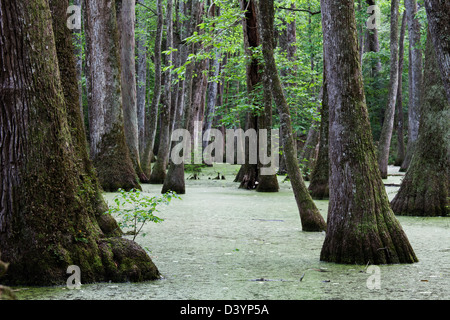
{"x": 220, "y": 242}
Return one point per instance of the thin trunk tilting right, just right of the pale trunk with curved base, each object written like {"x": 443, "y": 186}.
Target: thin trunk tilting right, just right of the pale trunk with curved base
{"x": 159, "y": 170}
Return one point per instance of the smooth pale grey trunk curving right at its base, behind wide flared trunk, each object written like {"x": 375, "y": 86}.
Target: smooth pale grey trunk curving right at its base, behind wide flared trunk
{"x": 126, "y": 18}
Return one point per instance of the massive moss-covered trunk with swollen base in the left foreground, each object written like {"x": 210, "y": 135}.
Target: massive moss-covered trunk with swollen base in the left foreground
{"x": 50, "y": 205}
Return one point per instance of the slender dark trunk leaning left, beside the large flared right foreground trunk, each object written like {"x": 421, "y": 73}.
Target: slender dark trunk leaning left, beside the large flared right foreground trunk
{"x": 310, "y": 216}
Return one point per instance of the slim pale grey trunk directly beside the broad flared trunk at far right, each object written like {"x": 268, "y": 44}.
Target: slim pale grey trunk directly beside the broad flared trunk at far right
{"x": 415, "y": 80}
